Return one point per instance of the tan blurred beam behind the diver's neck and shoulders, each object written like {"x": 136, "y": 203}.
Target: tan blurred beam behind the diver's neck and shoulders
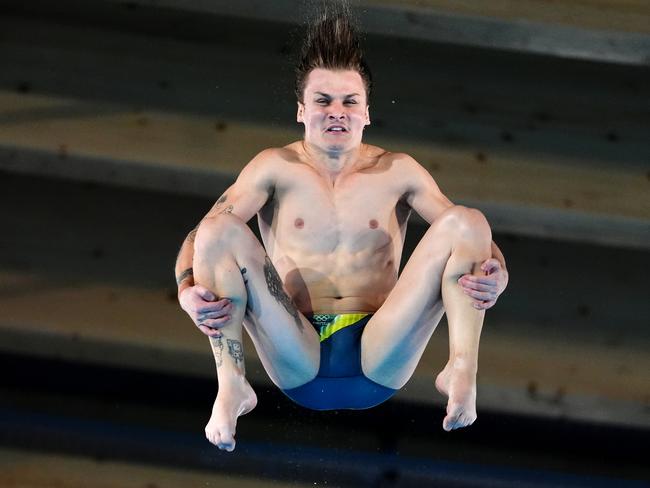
{"x": 531, "y": 198}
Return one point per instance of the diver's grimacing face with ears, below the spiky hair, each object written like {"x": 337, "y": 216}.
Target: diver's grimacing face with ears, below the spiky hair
{"x": 335, "y": 109}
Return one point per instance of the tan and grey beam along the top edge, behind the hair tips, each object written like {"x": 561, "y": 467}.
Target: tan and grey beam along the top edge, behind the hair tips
{"x": 604, "y": 33}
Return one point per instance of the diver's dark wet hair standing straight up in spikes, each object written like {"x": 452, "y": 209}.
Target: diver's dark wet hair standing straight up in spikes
{"x": 332, "y": 42}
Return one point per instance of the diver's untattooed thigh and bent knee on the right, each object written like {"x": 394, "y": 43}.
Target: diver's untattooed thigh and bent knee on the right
{"x": 397, "y": 335}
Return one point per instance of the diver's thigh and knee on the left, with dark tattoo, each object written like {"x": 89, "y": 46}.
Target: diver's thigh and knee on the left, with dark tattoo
{"x": 286, "y": 342}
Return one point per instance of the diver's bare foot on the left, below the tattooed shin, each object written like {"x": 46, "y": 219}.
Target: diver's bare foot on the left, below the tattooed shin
{"x": 233, "y": 400}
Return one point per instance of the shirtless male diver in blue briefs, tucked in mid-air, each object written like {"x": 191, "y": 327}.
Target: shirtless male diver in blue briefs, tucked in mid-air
{"x": 333, "y": 324}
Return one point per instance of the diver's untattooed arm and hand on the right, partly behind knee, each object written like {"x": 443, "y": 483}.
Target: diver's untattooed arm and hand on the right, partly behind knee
{"x": 428, "y": 201}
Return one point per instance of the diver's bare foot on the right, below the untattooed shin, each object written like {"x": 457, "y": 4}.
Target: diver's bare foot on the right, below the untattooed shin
{"x": 458, "y": 382}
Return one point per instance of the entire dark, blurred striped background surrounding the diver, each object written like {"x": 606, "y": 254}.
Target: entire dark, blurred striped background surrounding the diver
{"x": 122, "y": 121}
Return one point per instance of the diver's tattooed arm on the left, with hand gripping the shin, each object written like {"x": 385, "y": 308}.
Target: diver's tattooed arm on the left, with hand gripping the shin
{"x": 244, "y": 199}
